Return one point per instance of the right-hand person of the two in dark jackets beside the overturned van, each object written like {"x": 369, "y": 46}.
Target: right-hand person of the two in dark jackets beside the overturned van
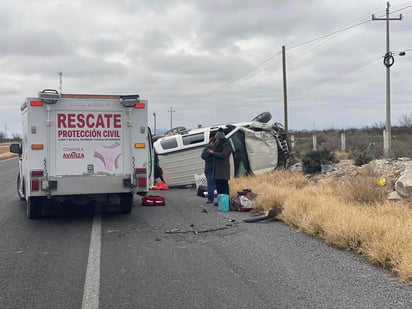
{"x": 221, "y": 164}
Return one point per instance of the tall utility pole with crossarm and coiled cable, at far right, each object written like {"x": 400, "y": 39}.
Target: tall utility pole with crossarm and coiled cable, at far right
{"x": 388, "y": 61}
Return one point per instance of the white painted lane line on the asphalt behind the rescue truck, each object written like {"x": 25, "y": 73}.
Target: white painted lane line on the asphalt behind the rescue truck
{"x": 92, "y": 283}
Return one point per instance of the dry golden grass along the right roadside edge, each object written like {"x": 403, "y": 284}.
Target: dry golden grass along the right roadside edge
{"x": 351, "y": 215}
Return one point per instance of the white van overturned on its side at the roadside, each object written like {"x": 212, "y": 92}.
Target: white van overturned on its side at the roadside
{"x": 257, "y": 147}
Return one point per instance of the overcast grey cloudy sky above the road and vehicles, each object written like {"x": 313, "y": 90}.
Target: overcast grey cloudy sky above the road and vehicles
{"x": 211, "y": 61}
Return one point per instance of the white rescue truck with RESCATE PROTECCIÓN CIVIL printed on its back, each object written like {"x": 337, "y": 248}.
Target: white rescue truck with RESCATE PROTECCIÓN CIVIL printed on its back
{"x": 79, "y": 148}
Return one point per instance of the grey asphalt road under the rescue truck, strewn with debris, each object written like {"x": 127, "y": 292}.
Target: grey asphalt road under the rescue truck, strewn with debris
{"x": 93, "y": 257}
